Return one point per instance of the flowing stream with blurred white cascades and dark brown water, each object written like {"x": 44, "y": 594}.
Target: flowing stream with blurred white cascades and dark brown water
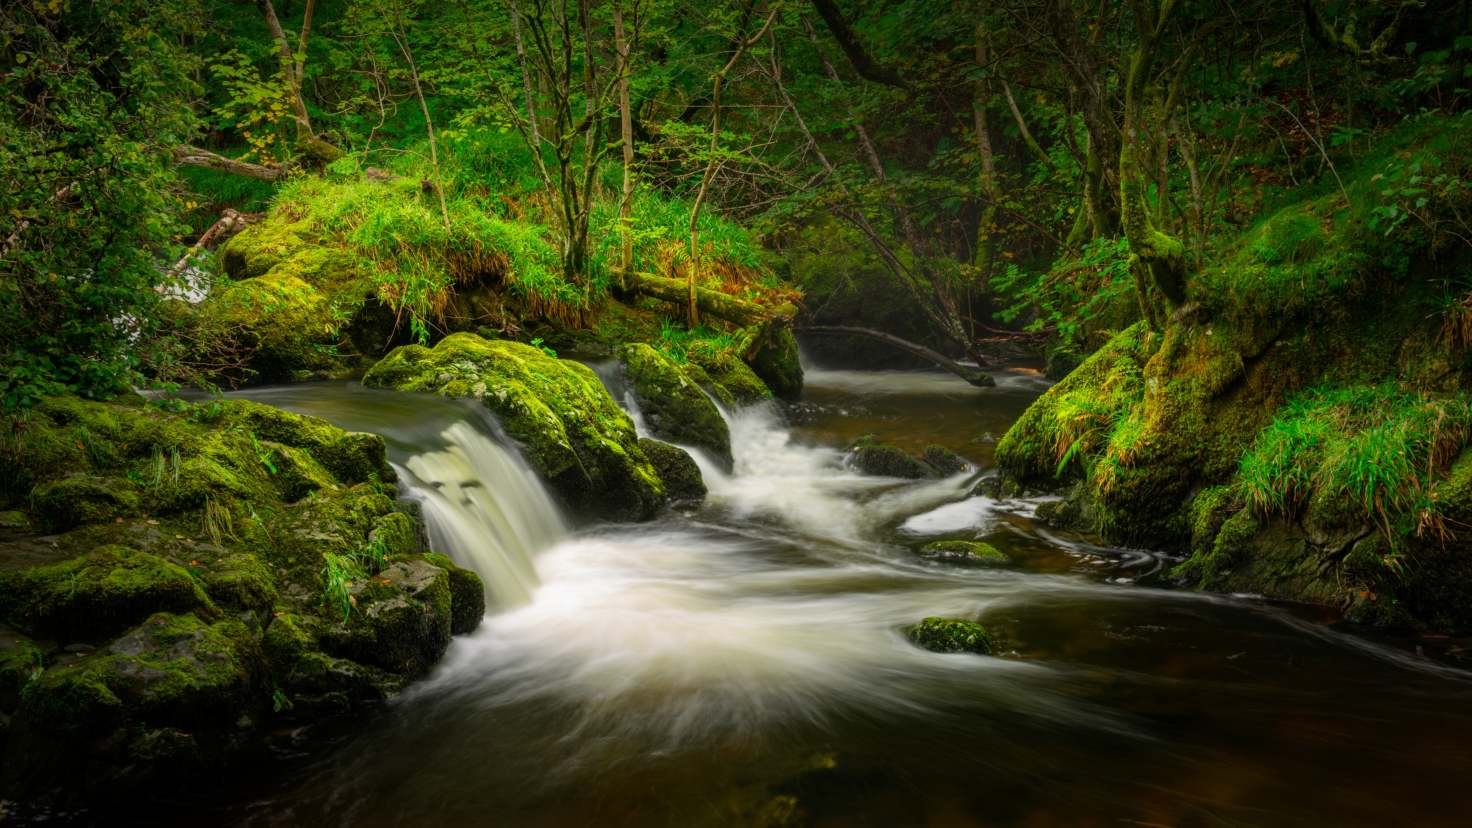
{"x": 744, "y": 664}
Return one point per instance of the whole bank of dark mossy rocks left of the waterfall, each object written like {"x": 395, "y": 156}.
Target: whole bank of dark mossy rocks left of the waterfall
{"x": 250, "y": 569}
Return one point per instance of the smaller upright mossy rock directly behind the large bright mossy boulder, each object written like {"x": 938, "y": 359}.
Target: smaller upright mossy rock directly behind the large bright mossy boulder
{"x": 673, "y": 404}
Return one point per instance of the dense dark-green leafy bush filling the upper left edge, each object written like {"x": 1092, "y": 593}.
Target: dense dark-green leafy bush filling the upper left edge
{"x": 93, "y": 98}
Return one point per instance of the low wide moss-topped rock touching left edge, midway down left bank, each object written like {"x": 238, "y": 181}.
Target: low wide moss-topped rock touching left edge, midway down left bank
{"x": 96, "y": 596}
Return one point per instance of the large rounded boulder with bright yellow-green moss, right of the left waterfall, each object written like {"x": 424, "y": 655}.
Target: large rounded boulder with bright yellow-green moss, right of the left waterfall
{"x": 570, "y": 429}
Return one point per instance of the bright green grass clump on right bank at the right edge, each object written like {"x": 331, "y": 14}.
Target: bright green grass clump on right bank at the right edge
{"x": 1370, "y": 453}
